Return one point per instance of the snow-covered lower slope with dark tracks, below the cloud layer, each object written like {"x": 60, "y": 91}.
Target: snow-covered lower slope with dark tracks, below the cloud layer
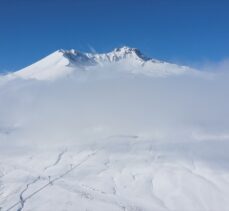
{"x": 126, "y": 173}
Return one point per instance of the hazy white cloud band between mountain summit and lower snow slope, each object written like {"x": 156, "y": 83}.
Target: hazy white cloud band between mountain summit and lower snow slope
{"x": 187, "y": 110}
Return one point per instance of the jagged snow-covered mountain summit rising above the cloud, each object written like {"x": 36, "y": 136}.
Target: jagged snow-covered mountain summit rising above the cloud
{"x": 130, "y": 60}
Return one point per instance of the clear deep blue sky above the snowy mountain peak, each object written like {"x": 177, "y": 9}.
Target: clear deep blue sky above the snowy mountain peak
{"x": 175, "y": 30}
